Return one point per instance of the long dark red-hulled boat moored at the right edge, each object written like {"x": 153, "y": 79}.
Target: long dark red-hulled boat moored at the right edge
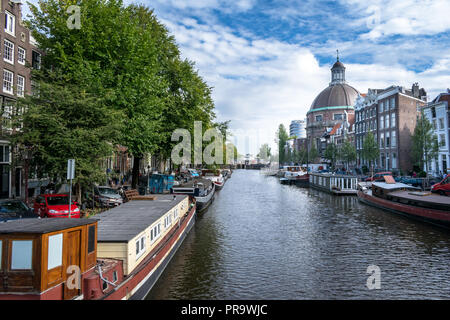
{"x": 408, "y": 201}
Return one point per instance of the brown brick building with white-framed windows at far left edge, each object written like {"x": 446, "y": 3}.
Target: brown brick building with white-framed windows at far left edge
{"x": 19, "y": 54}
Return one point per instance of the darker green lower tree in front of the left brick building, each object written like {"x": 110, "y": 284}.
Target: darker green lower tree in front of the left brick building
{"x": 64, "y": 122}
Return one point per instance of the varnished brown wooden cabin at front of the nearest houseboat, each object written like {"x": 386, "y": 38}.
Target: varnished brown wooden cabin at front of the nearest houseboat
{"x": 44, "y": 258}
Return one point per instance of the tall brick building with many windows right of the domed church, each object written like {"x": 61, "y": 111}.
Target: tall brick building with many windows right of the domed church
{"x": 391, "y": 115}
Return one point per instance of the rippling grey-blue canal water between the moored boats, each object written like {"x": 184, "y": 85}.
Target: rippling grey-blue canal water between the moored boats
{"x": 263, "y": 240}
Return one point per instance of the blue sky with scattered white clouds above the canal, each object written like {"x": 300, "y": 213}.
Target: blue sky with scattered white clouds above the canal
{"x": 267, "y": 60}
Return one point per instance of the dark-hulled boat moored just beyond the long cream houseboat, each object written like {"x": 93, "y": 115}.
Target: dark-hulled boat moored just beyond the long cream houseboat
{"x": 201, "y": 189}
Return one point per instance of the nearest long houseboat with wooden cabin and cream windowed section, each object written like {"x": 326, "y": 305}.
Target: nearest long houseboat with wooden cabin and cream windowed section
{"x": 120, "y": 255}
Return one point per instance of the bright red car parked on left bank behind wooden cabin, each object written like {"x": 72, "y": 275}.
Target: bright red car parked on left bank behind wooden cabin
{"x": 55, "y": 206}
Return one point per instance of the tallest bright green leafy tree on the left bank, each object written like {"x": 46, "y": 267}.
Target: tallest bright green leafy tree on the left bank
{"x": 127, "y": 56}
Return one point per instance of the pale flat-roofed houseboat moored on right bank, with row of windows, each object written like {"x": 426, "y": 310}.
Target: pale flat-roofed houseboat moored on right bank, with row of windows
{"x": 335, "y": 184}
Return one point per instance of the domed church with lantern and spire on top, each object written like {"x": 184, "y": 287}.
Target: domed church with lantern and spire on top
{"x": 332, "y": 106}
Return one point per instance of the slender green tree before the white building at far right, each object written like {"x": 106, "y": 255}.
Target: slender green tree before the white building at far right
{"x": 425, "y": 145}
